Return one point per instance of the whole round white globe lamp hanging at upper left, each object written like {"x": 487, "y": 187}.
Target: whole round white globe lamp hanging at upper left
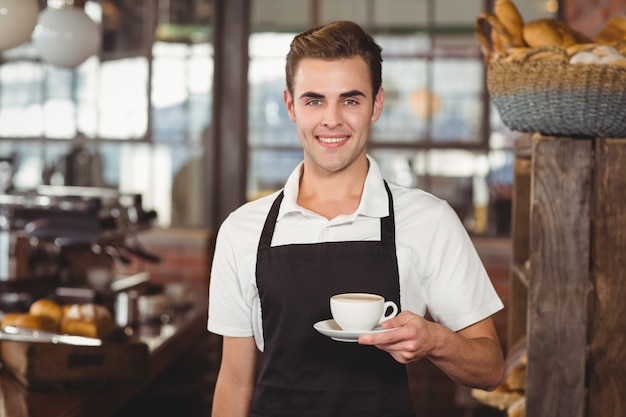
{"x": 65, "y": 35}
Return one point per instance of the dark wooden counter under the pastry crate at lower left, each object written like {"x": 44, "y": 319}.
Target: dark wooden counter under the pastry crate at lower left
{"x": 166, "y": 343}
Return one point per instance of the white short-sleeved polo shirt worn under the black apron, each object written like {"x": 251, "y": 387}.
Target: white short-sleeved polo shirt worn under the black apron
{"x": 440, "y": 271}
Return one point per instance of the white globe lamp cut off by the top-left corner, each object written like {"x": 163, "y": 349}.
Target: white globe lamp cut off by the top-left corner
{"x": 17, "y": 21}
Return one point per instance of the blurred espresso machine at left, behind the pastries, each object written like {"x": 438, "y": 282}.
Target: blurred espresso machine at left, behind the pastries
{"x": 53, "y": 236}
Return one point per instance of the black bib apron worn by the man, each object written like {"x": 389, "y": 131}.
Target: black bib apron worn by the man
{"x": 304, "y": 373}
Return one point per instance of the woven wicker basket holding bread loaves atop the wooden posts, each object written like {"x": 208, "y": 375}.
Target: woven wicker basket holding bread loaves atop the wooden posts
{"x": 553, "y": 97}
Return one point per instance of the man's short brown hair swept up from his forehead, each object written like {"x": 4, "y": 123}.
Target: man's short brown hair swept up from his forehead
{"x": 336, "y": 40}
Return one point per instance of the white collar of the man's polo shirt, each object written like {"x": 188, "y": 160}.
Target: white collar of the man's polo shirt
{"x": 373, "y": 201}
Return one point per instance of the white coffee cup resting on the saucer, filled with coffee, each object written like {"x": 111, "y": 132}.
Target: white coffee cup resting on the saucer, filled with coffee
{"x": 360, "y": 311}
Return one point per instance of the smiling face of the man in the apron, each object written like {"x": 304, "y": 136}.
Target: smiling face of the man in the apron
{"x": 333, "y": 106}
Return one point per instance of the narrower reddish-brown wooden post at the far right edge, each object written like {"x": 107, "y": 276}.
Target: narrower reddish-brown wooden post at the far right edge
{"x": 607, "y": 352}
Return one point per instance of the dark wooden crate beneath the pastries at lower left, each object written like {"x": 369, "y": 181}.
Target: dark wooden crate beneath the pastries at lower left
{"x": 46, "y": 364}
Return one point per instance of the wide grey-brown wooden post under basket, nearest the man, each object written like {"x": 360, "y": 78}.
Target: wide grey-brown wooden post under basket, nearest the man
{"x": 559, "y": 284}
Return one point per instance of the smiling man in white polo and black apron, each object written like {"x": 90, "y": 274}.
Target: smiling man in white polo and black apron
{"x": 338, "y": 226}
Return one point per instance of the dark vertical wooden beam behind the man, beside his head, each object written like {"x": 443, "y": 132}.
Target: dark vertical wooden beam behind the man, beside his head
{"x": 227, "y": 153}
